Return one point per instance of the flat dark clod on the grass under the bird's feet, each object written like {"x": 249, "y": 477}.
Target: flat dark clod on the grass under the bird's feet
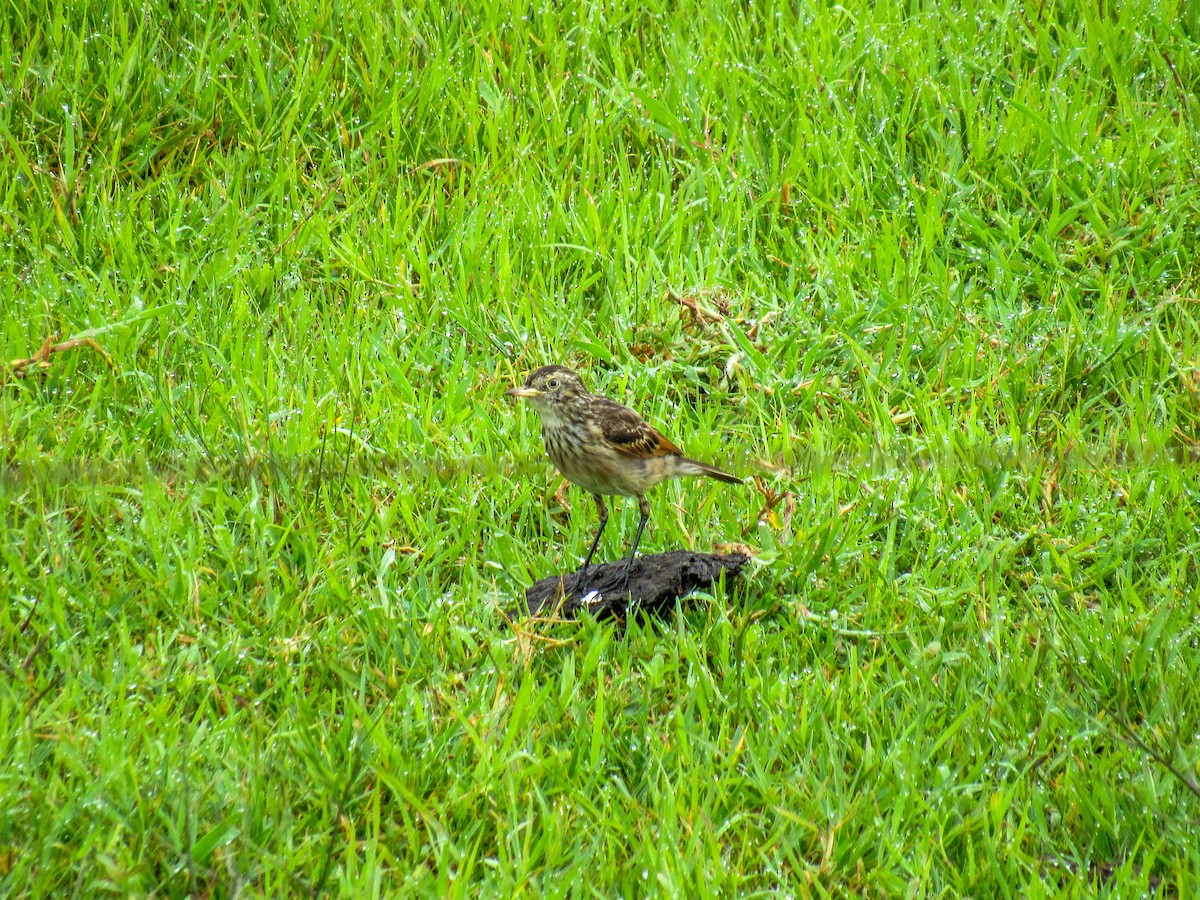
{"x": 656, "y": 585}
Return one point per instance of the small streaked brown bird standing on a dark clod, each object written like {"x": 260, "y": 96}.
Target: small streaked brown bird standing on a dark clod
{"x": 604, "y": 447}
